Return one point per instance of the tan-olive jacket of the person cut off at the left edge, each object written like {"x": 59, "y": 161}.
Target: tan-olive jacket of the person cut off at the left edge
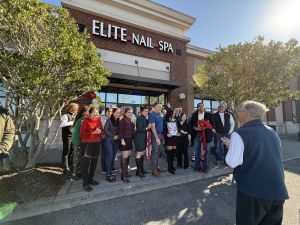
{"x": 7, "y": 131}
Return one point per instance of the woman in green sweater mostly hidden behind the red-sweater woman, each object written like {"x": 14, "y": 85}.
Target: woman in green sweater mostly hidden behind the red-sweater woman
{"x": 76, "y": 140}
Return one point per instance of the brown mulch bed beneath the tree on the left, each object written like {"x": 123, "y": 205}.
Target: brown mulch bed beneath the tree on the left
{"x": 25, "y": 186}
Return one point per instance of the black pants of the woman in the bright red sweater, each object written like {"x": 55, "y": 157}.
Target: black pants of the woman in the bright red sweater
{"x": 90, "y": 154}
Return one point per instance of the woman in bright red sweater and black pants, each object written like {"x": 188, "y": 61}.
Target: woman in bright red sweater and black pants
{"x": 91, "y": 131}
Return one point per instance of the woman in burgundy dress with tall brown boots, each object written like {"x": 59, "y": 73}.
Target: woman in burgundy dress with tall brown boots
{"x": 126, "y": 134}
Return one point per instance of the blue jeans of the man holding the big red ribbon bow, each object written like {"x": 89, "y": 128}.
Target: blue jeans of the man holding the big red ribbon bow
{"x": 197, "y": 149}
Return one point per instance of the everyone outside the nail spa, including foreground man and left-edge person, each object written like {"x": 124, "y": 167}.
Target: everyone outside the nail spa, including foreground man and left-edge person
{"x": 254, "y": 149}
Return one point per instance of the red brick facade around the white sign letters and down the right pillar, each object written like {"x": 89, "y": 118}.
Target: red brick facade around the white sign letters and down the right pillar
{"x": 178, "y": 63}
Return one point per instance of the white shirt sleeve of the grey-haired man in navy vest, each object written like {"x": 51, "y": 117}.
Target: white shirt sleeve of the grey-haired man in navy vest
{"x": 235, "y": 153}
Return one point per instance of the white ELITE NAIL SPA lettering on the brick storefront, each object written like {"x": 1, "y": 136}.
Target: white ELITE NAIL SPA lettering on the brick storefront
{"x": 116, "y": 32}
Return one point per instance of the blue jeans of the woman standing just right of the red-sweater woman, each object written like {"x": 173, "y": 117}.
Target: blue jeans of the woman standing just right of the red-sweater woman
{"x": 111, "y": 149}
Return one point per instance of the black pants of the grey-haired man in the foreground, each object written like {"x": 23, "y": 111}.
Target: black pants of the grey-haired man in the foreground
{"x": 253, "y": 211}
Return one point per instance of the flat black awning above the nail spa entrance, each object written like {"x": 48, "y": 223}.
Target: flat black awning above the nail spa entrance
{"x": 143, "y": 81}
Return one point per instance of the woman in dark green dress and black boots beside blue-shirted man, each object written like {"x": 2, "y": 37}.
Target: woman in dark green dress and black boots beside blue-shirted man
{"x": 140, "y": 141}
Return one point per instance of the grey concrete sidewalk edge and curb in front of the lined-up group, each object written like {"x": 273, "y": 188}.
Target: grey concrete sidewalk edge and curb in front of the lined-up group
{"x": 48, "y": 205}
